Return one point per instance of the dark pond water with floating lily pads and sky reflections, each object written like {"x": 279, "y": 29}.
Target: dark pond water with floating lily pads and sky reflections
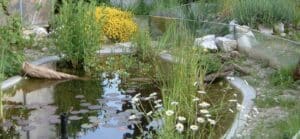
{"x": 96, "y": 108}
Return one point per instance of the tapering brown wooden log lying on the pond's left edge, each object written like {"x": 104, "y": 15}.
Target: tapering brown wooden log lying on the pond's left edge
{"x": 45, "y": 73}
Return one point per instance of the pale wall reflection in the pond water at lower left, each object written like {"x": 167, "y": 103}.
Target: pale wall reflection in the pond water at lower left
{"x": 40, "y": 100}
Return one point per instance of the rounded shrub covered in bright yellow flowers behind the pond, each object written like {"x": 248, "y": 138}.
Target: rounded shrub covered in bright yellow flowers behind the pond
{"x": 117, "y": 25}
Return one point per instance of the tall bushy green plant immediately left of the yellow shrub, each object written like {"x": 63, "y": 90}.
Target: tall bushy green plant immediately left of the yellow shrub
{"x": 77, "y": 32}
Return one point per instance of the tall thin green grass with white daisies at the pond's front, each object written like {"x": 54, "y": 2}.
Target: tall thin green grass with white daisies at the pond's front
{"x": 188, "y": 111}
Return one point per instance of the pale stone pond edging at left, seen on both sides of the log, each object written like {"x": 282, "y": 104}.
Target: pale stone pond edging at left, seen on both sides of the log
{"x": 10, "y": 82}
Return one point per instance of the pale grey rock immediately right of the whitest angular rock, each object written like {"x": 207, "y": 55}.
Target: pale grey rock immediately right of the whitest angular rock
{"x": 225, "y": 44}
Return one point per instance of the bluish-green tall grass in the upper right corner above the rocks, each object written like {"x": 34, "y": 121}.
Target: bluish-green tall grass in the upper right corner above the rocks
{"x": 266, "y": 12}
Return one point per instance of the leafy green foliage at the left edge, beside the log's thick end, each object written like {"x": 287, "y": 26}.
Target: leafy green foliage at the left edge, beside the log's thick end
{"x": 11, "y": 47}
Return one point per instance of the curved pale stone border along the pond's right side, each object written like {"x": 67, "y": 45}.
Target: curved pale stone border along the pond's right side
{"x": 249, "y": 94}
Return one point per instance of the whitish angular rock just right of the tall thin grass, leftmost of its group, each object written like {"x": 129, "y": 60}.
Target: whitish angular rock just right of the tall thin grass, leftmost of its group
{"x": 207, "y": 42}
